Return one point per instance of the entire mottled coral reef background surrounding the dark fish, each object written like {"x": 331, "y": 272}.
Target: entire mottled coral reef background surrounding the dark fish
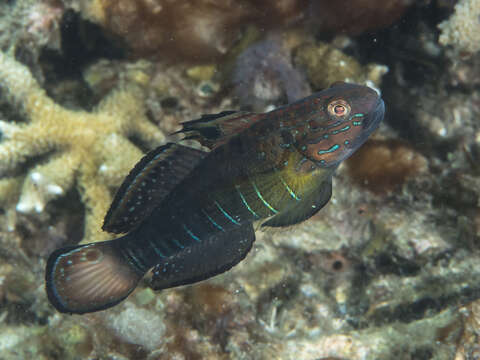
{"x": 387, "y": 270}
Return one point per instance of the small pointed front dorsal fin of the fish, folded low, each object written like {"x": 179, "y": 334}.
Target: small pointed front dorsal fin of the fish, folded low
{"x": 213, "y": 130}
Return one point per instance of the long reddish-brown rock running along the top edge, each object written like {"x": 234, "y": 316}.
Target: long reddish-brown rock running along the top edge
{"x": 205, "y": 30}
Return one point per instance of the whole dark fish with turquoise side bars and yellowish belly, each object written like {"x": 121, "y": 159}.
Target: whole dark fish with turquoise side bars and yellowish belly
{"x": 188, "y": 214}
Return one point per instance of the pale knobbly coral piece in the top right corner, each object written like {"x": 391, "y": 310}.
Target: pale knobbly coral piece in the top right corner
{"x": 462, "y": 29}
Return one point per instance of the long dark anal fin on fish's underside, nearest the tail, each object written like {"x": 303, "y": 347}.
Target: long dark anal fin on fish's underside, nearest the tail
{"x": 211, "y": 256}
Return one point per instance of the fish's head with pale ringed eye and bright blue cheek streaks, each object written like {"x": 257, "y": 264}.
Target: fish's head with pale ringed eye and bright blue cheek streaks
{"x": 346, "y": 116}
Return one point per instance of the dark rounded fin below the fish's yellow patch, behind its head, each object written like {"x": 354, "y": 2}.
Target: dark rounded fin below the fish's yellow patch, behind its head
{"x": 305, "y": 208}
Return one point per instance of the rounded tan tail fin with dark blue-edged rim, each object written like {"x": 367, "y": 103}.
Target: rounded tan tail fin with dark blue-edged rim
{"x": 87, "y": 278}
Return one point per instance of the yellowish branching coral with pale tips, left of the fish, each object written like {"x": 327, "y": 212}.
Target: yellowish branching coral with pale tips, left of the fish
{"x": 88, "y": 150}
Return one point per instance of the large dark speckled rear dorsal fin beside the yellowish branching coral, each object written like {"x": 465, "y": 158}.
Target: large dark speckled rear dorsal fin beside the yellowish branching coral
{"x": 148, "y": 183}
